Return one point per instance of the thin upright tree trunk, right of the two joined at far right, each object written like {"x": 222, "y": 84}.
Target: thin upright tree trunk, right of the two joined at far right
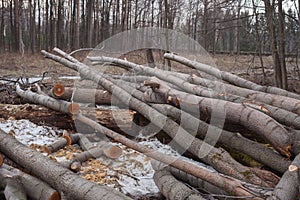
{"x": 282, "y": 46}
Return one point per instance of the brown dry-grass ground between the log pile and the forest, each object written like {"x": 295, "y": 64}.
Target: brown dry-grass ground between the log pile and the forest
{"x": 14, "y": 65}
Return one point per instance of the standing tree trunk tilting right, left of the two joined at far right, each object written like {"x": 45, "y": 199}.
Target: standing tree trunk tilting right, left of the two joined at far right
{"x": 269, "y": 12}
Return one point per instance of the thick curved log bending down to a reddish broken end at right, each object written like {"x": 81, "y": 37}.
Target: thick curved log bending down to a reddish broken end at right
{"x": 252, "y": 119}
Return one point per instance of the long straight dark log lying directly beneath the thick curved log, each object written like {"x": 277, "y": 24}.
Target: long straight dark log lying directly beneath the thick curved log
{"x": 205, "y": 131}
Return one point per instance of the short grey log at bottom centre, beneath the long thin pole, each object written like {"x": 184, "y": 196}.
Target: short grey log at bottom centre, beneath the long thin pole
{"x": 173, "y": 189}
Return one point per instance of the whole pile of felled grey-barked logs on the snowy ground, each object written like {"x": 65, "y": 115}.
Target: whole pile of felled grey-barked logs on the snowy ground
{"x": 216, "y": 122}
